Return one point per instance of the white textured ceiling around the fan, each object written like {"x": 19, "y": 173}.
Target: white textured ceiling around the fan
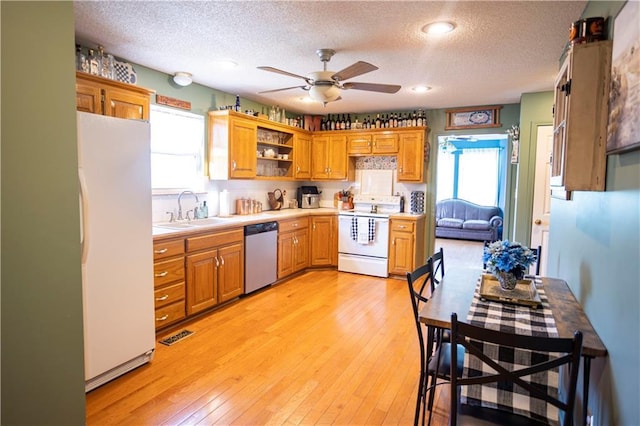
{"x": 499, "y": 49}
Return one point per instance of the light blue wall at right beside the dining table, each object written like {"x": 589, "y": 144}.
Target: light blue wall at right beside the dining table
{"x": 595, "y": 246}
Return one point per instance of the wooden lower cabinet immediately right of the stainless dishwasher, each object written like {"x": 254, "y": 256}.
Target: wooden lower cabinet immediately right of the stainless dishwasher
{"x": 293, "y": 246}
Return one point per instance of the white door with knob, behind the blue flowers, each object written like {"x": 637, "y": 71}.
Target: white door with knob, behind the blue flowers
{"x": 542, "y": 195}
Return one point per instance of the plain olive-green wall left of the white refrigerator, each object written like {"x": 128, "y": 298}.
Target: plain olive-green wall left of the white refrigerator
{"x": 42, "y": 349}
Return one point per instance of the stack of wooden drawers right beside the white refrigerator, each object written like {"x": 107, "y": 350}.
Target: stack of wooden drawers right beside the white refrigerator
{"x": 169, "y": 283}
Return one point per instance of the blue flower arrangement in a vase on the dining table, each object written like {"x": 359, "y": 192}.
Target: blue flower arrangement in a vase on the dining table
{"x": 508, "y": 256}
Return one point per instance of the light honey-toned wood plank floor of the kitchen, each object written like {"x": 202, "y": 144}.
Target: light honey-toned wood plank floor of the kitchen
{"x": 324, "y": 348}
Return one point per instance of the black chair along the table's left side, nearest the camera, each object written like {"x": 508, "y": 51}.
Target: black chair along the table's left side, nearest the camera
{"x": 435, "y": 355}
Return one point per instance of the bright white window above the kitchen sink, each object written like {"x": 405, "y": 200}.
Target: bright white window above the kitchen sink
{"x": 177, "y": 149}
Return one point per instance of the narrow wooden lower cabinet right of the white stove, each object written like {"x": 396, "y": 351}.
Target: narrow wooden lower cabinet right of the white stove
{"x": 406, "y": 244}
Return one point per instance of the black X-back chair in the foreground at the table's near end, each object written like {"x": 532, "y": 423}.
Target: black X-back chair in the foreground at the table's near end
{"x": 472, "y": 338}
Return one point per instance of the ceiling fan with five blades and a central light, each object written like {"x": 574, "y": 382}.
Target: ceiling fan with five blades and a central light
{"x": 325, "y": 86}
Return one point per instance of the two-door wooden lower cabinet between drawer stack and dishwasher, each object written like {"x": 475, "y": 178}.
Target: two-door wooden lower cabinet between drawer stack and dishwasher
{"x": 215, "y": 269}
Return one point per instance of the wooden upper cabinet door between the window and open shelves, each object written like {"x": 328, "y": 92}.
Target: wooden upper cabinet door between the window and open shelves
{"x": 242, "y": 149}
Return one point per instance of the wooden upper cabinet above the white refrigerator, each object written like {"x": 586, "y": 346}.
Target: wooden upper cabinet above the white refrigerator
{"x": 99, "y": 95}
